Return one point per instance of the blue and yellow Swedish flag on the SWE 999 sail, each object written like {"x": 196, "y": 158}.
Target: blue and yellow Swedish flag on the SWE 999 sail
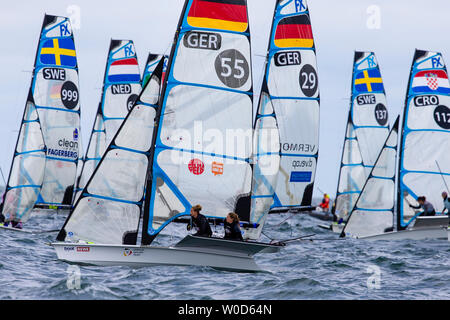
{"x": 59, "y": 52}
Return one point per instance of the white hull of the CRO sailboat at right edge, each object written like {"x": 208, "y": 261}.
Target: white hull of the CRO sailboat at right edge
{"x": 412, "y": 234}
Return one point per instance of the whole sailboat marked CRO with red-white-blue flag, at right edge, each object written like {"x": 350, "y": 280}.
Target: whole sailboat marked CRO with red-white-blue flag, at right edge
{"x": 425, "y": 136}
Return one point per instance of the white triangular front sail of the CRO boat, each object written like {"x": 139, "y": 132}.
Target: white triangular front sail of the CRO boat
{"x": 373, "y": 212}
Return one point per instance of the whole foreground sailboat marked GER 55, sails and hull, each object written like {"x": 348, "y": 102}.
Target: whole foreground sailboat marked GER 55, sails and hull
{"x": 159, "y": 164}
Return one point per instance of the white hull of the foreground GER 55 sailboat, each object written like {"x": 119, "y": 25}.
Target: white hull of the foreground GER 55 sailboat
{"x": 186, "y": 254}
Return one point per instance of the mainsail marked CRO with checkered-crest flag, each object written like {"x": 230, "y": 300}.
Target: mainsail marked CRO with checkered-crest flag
{"x": 424, "y": 159}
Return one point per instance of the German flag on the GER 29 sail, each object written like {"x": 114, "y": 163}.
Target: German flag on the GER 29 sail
{"x": 294, "y": 32}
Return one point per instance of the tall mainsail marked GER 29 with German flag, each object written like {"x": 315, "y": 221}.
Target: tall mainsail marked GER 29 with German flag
{"x": 293, "y": 89}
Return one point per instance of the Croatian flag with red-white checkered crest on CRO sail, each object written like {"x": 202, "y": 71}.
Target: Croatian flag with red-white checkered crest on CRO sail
{"x": 431, "y": 81}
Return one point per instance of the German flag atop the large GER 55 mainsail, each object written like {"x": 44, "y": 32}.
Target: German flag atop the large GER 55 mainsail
{"x": 219, "y": 14}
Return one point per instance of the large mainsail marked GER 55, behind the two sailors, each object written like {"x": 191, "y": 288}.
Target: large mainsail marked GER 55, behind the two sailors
{"x": 204, "y": 140}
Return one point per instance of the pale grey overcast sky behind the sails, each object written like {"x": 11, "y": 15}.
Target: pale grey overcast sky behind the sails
{"x": 339, "y": 28}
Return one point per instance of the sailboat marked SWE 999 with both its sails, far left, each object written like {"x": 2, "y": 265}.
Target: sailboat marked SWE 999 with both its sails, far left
{"x": 44, "y": 165}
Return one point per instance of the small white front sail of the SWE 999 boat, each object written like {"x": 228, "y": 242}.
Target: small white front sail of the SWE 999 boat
{"x": 27, "y": 169}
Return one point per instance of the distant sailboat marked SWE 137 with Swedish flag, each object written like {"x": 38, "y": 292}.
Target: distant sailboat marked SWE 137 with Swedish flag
{"x": 366, "y": 131}
